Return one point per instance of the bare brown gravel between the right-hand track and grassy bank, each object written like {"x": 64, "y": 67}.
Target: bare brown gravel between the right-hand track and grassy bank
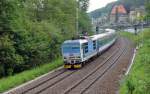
{"x": 110, "y": 82}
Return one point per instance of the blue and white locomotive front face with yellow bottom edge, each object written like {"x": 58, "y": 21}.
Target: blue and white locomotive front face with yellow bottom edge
{"x": 71, "y": 54}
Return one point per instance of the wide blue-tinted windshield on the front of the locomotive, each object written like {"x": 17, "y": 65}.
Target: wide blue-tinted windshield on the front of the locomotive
{"x": 71, "y": 48}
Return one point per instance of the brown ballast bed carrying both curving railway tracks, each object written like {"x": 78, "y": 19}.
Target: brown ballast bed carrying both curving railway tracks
{"x": 57, "y": 83}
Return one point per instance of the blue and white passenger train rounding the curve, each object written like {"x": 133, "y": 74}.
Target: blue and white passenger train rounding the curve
{"x": 77, "y": 52}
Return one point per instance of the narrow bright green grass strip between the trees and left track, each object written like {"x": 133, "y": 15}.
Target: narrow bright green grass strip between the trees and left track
{"x": 18, "y": 79}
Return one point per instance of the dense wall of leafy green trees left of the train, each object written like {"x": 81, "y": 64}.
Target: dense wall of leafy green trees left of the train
{"x": 31, "y": 31}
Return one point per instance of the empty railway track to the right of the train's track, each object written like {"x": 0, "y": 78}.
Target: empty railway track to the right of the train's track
{"x": 91, "y": 82}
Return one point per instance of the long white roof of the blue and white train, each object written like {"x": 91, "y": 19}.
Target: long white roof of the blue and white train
{"x": 94, "y": 37}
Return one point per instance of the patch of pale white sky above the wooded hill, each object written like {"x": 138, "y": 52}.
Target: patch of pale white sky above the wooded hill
{"x": 95, "y": 4}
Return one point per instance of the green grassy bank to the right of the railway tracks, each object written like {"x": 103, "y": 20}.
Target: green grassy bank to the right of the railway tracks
{"x": 138, "y": 80}
